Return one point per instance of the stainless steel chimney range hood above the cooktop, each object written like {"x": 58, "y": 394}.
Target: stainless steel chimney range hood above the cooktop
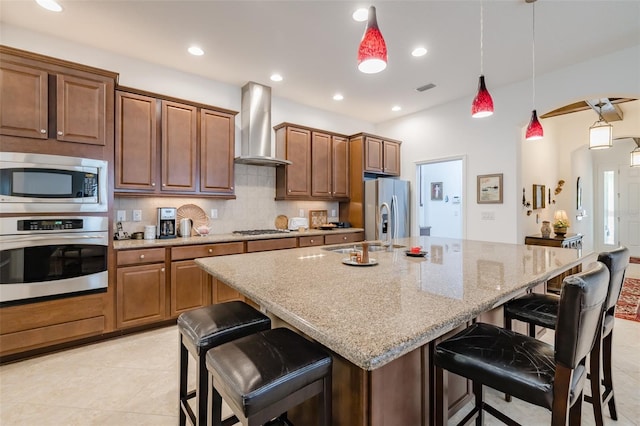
{"x": 255, "y": 143}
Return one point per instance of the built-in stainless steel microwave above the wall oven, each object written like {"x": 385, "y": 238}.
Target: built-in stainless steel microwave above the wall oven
{"x": 52, "y": 183}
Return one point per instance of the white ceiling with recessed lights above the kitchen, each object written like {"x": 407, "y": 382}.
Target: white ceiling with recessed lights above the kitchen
{"x": 313, "y": 44}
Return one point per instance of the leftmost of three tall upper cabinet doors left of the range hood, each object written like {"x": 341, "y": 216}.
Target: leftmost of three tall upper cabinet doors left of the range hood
{"x": 136, "y": 142}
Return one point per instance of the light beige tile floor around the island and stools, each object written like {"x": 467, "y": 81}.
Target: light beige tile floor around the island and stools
{"x": 132, "y": 380}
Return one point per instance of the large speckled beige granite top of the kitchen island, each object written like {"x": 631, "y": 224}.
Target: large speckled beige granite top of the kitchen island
{"x": 372, "y": 315}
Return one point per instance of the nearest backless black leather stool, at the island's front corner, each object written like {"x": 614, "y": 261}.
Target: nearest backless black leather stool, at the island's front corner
{"x": 265, "y": 374}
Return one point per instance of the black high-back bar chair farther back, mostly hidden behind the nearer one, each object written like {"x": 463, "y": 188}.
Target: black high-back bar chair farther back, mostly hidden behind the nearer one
{"x": 542, "y": 310}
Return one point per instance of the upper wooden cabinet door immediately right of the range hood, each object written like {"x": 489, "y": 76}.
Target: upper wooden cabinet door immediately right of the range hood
{"x": 299, "y": 153}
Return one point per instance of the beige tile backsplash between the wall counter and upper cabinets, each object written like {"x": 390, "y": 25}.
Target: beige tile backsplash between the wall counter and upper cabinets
{"x": 254, "y": 207}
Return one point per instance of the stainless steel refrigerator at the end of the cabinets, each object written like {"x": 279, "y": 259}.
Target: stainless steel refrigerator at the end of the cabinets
{"x": 386, "y": 208}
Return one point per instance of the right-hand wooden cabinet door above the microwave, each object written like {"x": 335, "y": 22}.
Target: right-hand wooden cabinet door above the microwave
{"x": 81, "y": 110}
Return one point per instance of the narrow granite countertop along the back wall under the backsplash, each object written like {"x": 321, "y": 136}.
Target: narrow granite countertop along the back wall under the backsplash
{"x": 223, "y": 238}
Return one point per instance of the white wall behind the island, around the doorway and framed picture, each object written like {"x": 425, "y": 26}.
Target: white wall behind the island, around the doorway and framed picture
{"x": 496, "y": 144}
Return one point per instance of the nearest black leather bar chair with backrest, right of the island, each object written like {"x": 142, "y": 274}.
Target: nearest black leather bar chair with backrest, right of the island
{"x": 550, "y": 376}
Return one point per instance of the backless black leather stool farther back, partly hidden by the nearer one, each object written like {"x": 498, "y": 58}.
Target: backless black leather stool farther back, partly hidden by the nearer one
{"x": 202, "y": 329}
